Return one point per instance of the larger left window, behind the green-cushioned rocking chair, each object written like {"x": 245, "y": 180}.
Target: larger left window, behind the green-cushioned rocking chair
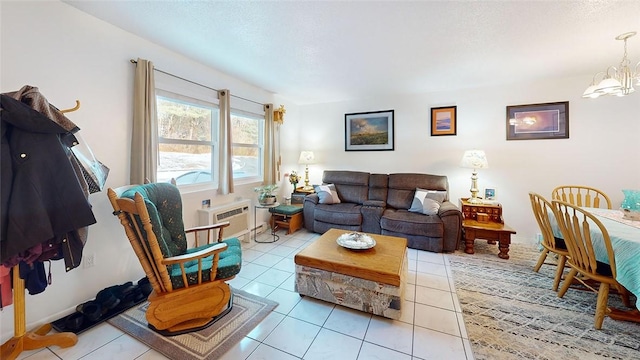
{"x": 187, "y": 139}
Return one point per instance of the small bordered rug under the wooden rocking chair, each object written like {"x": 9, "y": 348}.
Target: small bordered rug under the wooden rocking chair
{"x": 247, "y": 312}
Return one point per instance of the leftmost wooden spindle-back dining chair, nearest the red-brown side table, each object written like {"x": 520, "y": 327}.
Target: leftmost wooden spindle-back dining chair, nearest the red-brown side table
{"x": 542, "y": 208}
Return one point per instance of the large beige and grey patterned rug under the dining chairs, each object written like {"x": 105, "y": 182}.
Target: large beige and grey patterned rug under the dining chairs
{"x": 511, "y": 312}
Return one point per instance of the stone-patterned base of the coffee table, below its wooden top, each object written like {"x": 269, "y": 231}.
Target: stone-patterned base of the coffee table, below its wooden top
{"x": 356, "y": 293}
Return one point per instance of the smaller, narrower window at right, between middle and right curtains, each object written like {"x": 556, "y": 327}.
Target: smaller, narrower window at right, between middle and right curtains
{"x": 247, "y": 133}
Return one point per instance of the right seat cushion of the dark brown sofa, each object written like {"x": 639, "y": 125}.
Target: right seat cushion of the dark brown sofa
{"x": 405, "y": 222}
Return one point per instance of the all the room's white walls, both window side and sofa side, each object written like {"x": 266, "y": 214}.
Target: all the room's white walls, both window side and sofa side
{"x": 70, "y": 55}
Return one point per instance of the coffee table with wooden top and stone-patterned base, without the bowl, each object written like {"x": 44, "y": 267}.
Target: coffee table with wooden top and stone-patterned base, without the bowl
{"x": 370, "y": 280}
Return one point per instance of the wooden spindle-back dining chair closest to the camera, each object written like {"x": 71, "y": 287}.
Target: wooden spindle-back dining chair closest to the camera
{"x": 575, "y": 224}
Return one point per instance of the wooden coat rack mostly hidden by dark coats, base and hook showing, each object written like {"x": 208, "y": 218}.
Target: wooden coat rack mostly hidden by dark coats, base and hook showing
{"x": 22, "y": 339}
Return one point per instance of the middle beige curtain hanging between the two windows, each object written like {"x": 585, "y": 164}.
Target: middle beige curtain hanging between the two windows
{"x": 226, "y": 170}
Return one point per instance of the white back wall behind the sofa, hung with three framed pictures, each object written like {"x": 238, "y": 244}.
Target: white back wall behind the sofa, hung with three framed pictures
{"x": 602, "y": 150}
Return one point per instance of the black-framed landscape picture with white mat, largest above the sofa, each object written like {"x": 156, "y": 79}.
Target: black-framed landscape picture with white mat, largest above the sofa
{"x": 369, "y": 131}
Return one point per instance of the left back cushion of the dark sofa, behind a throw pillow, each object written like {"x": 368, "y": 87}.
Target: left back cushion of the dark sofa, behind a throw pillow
{"x": 351, "y": 186}
